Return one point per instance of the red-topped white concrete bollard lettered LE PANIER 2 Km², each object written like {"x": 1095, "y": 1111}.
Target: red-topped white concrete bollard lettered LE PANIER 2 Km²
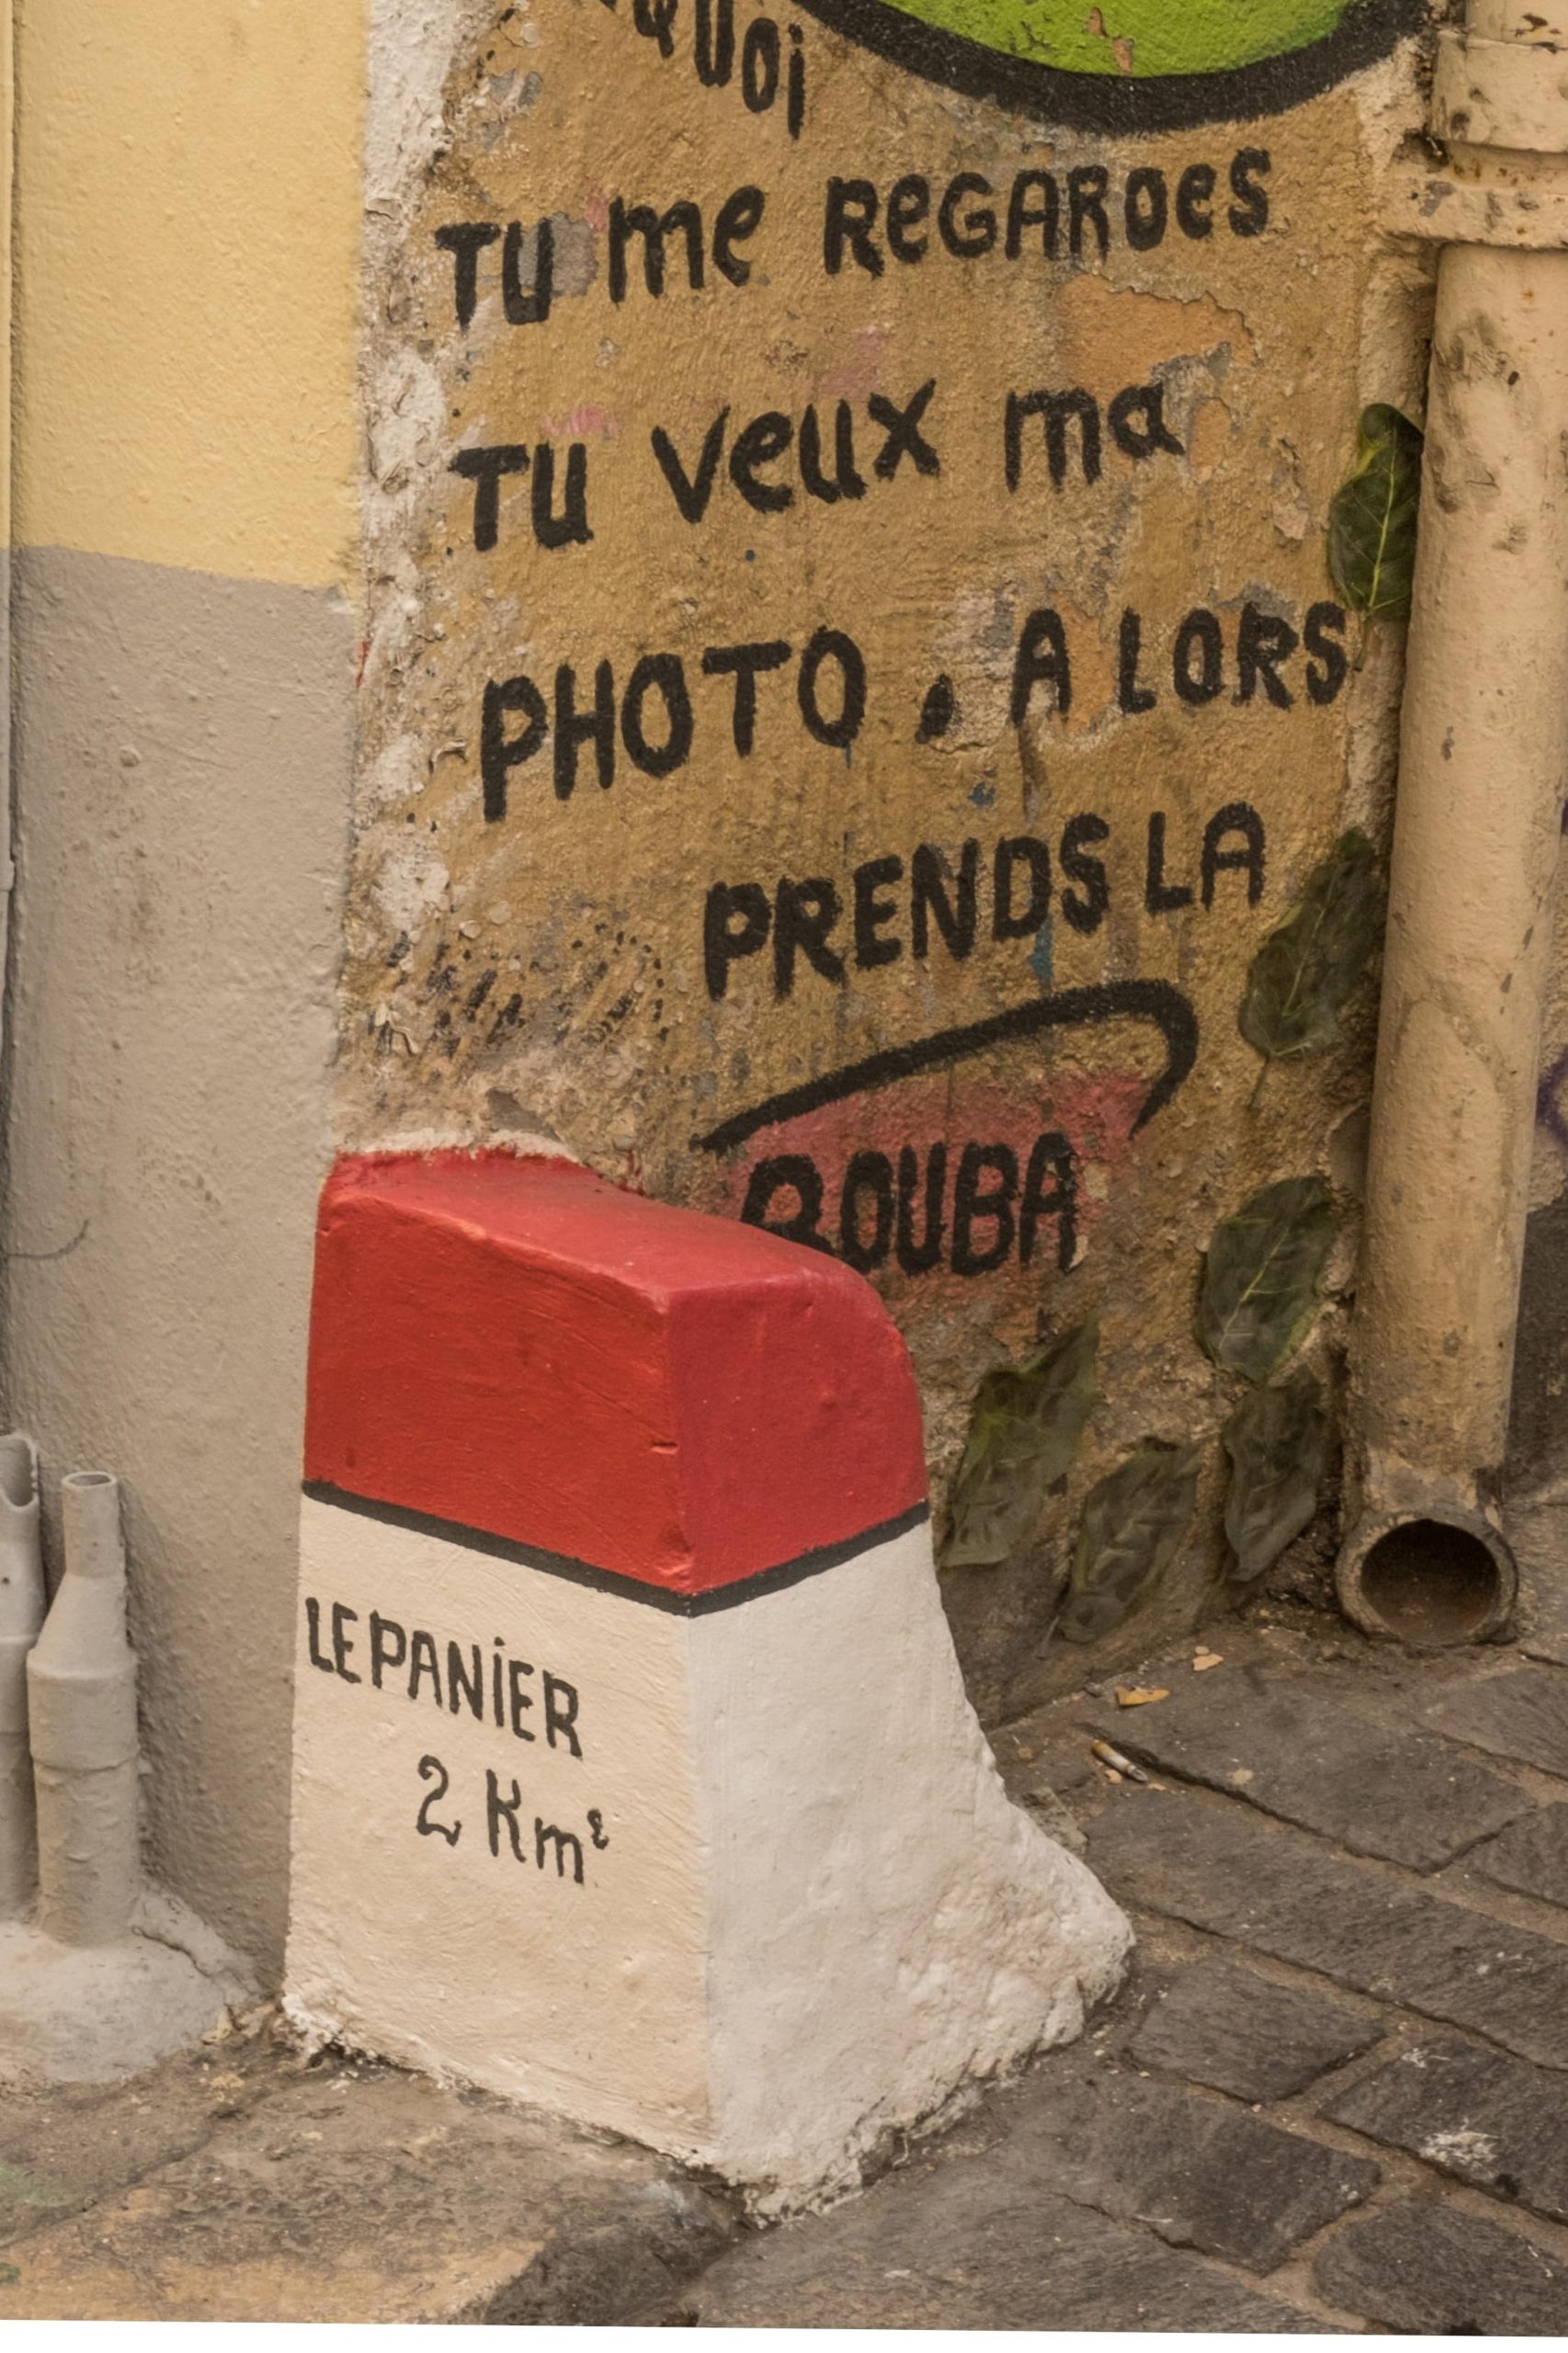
{"x": 632, "y": 1766}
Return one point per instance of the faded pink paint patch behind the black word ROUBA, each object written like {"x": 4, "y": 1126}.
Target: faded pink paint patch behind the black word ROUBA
{"x": 941, "y": 1180}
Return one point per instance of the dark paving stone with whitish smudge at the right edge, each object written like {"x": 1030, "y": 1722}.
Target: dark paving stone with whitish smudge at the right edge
{"x": 1491, "y": 2121}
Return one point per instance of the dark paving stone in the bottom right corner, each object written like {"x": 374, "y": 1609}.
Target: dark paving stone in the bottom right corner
{"x": 1428, "y": 2269}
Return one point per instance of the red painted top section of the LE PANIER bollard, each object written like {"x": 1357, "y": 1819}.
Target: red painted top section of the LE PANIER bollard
{"x": 529, "y": 1352}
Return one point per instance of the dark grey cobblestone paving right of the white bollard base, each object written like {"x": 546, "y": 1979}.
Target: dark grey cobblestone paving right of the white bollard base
{"x": 1336, "y": 2088}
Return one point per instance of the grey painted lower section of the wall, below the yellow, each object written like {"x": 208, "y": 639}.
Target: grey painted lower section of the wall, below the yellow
{"x": 185, "y": 754}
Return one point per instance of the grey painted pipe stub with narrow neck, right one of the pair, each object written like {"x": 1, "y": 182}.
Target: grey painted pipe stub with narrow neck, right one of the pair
{"x": 84, "y": 1731}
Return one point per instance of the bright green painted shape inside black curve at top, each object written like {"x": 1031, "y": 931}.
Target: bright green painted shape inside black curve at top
{"x": 1155, "y": 36}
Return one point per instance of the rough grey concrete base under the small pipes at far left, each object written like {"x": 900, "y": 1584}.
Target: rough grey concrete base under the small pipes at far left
{"x": 107, "y": 2013}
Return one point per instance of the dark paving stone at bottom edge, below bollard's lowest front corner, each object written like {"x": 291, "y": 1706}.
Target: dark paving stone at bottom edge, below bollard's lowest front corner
{"x": 971, "y": 2237}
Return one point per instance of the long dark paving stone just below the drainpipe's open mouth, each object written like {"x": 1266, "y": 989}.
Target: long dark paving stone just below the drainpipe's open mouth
{"x": 1287, "y": 1749}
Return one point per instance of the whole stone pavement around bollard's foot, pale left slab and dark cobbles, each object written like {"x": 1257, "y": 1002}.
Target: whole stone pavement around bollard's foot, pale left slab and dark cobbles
{"x": 1334, "y": 2093}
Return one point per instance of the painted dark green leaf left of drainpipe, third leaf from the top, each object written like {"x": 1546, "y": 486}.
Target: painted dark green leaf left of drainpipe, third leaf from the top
{"x": 1261, "y": 1279}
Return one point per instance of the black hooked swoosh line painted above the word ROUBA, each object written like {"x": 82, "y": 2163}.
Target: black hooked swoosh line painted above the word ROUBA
{"x": 1072, "y": 1008}
